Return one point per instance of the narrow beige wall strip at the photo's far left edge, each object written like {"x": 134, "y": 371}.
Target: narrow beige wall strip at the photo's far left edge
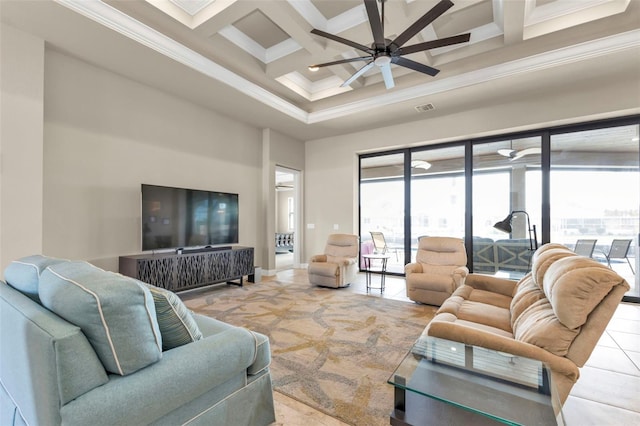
{"x": 21, "y": 150}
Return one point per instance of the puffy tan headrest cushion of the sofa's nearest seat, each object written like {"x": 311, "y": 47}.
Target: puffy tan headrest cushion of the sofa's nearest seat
{"x": 575, "y": 286}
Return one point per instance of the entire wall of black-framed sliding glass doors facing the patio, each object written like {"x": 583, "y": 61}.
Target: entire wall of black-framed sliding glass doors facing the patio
{"x": 505, "y": 196}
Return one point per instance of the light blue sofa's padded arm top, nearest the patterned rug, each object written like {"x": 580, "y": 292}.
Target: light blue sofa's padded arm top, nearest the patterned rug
{"x": 182, "y": 375}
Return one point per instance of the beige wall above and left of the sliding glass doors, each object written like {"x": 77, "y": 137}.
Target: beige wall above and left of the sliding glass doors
{"x": 331, "y": 165}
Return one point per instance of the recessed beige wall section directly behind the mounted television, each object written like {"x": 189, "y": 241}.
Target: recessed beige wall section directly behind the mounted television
{"x": 105, "y": 135}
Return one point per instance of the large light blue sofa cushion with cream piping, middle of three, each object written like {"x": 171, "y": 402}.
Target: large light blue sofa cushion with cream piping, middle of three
{"x": 116, "y": 313}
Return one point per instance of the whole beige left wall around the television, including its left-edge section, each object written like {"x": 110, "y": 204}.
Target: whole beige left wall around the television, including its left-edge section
{"x": 79, "y": 140}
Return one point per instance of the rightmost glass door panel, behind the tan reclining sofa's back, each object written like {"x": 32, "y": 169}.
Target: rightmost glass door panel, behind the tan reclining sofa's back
{"x": 595, "y": 196}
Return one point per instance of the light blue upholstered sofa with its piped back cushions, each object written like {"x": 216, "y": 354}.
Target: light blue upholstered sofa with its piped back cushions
{"x": 53, "y": 371}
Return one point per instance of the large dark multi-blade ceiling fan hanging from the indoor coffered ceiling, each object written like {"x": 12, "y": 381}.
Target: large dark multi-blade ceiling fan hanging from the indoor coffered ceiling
{"x": 384, "y": 52}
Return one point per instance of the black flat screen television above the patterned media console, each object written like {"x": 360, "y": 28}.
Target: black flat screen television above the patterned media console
{"x": 178, "y": 217}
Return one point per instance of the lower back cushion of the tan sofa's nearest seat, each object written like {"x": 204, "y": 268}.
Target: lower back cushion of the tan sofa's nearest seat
{"x": 538, "y": 325}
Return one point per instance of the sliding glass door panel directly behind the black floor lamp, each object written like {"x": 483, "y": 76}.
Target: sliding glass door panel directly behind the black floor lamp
{"x": 506, "y": 205}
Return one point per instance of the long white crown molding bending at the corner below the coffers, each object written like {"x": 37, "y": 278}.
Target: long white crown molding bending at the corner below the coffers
{"x": 112, "y": 18}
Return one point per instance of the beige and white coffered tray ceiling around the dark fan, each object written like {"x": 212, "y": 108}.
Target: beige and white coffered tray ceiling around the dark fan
{"x": 258, "y": 52}
